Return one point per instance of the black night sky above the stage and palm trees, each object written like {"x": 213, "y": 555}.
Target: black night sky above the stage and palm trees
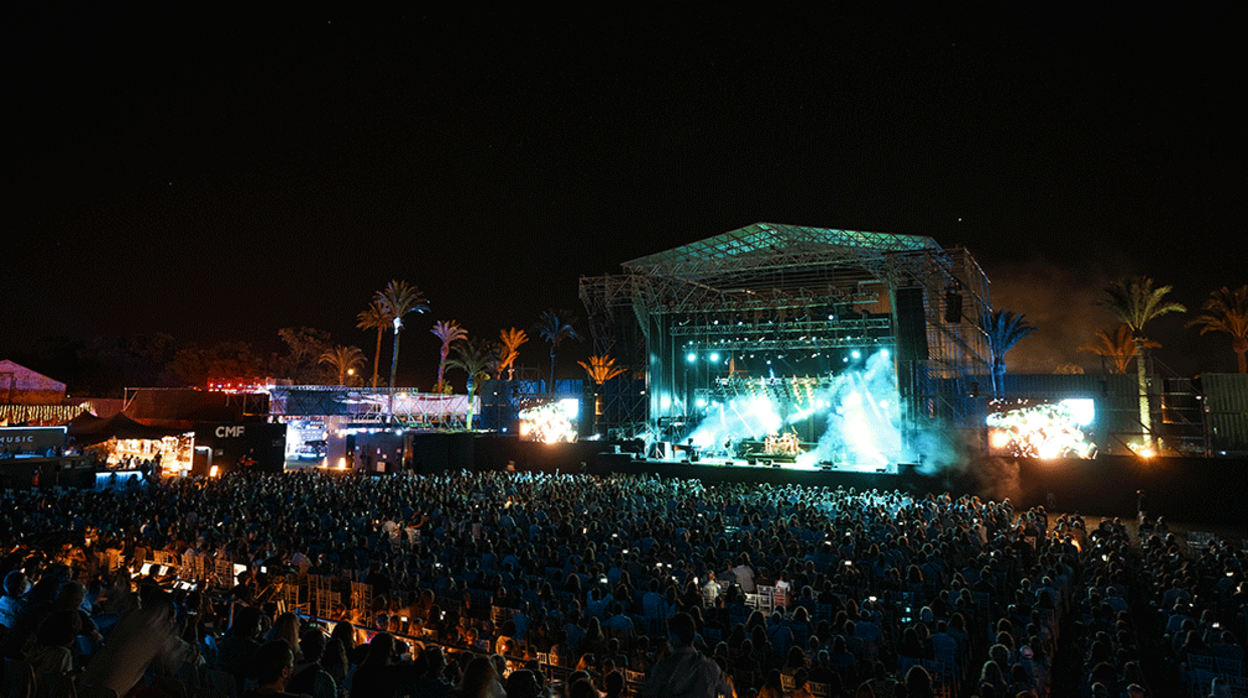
{"x": 220, "y": 178}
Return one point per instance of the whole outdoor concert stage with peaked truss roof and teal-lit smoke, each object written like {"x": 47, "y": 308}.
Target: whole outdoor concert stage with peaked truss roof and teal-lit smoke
{"x": 778, "y": 340}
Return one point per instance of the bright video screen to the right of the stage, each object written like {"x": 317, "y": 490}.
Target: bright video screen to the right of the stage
{"x": 1041, "y": 430}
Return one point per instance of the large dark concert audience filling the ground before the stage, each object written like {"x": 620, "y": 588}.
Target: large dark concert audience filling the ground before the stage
{"x": 527, "y": 585}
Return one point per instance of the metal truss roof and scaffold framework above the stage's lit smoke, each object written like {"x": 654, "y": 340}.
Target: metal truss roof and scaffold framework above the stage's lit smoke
{"x": 782, "y": 290}
